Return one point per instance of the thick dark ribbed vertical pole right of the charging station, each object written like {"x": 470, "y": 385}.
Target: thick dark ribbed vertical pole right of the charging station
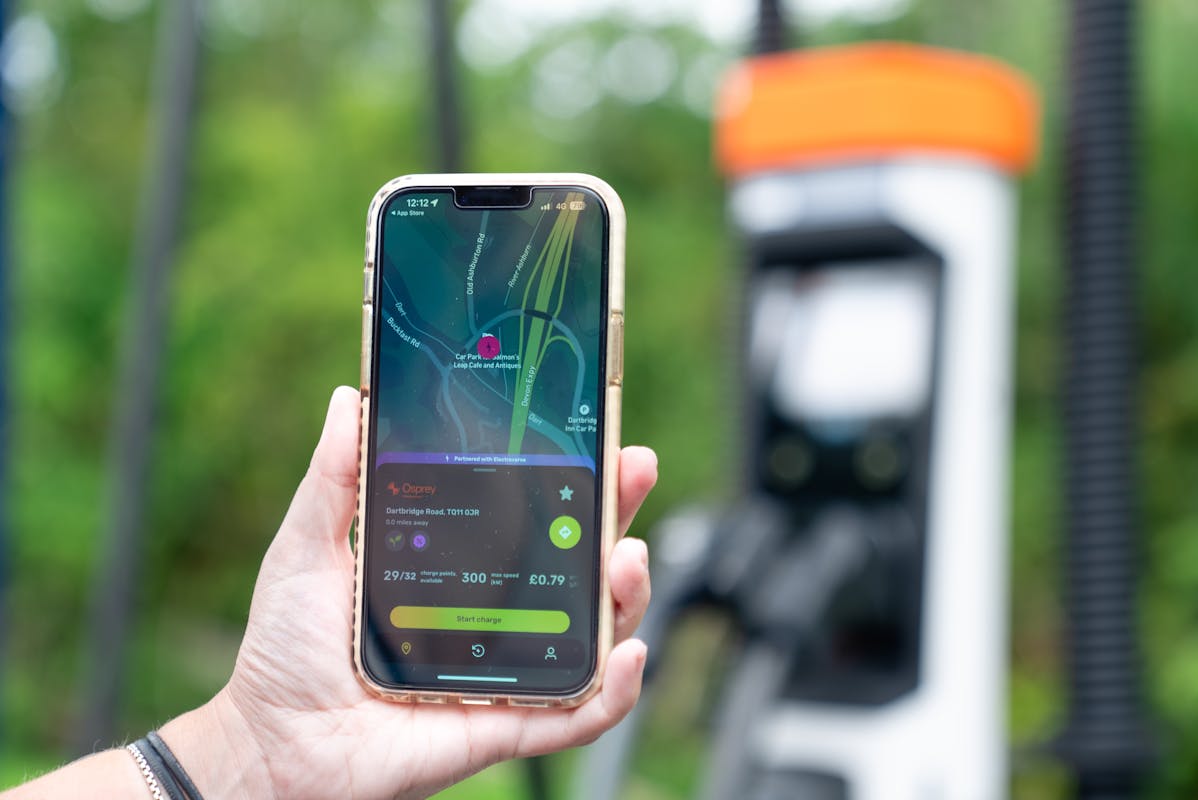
{"x": 1108, "y": 740}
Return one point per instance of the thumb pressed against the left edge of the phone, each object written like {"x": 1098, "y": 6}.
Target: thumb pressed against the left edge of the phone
{"x": 323, "y": 507}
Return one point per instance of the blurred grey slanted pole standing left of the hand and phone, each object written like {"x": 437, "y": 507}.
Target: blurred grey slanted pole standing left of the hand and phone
{"x": 162, "y": 208}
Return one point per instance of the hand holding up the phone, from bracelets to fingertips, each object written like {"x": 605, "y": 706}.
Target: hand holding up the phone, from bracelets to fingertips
{"x": 295, "y": 723}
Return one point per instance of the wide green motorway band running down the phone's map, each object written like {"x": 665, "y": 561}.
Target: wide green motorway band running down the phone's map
{"x": 548, "y": 274}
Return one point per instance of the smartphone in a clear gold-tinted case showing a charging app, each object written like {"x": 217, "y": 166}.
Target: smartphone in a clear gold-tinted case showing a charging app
{"x": 492, "y": 369}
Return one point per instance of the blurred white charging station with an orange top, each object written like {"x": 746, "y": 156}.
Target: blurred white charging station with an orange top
{"x": 873, "y": 191}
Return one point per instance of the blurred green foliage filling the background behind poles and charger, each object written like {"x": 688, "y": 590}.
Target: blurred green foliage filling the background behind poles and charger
{"x": 301, "y": 120}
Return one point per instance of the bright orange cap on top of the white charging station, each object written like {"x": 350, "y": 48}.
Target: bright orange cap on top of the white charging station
{"x": 873, "y": 101}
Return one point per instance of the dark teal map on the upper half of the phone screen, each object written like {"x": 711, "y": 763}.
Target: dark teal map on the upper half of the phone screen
{"x": 489, "y": 331}
